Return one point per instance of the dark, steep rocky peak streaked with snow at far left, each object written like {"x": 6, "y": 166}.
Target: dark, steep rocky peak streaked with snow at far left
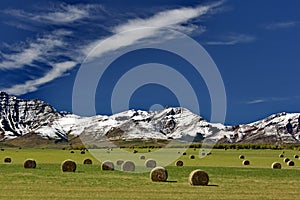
{"x": 18, "y": 117}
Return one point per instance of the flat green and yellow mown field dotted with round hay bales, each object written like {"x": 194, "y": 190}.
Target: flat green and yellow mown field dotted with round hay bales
{"x": 228, "y": 177}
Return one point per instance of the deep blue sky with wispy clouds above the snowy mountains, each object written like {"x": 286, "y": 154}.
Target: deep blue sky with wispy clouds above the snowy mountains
{"x": 254, "y": 44}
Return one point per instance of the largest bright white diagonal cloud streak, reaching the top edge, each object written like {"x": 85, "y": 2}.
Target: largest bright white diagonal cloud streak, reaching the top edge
{"x": 166, "y": 19}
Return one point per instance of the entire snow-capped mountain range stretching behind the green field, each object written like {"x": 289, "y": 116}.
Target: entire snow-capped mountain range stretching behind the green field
{"x": 20, "y": 117}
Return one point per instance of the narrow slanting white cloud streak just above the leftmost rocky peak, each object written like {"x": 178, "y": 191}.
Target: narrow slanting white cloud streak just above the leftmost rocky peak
{"x": 57, "y": 70}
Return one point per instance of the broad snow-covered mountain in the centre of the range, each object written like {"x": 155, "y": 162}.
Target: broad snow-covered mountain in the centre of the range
{"x": 171, "y": 123}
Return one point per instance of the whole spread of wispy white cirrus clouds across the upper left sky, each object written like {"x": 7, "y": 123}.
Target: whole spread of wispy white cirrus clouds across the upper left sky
{"x": 49, "y": 47}
